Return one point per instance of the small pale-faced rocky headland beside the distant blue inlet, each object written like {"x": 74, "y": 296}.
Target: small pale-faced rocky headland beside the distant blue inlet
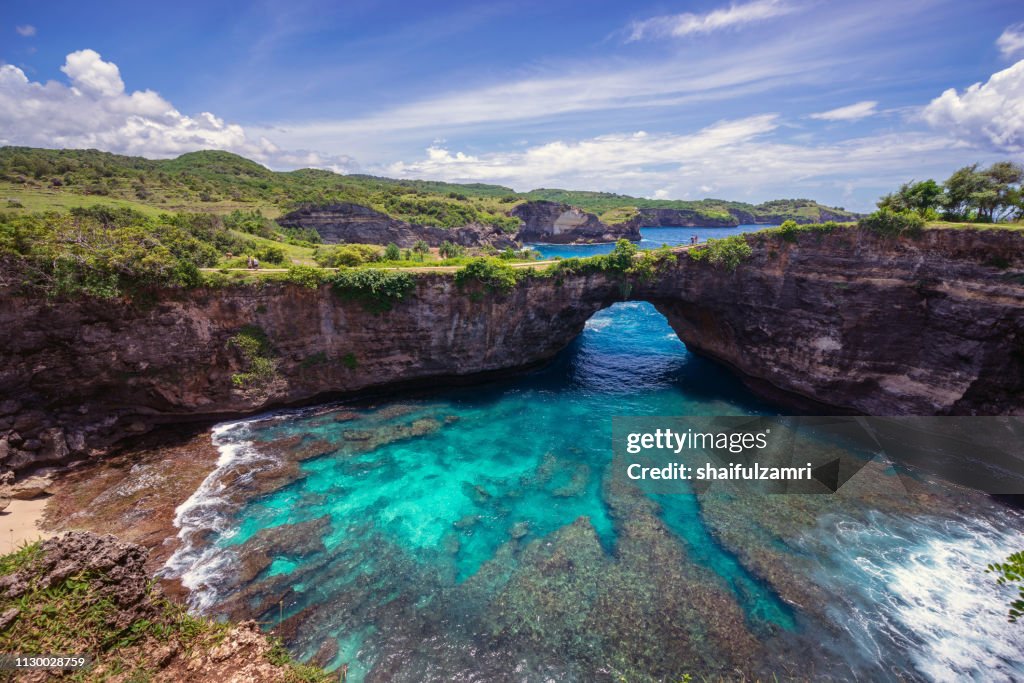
{"x": 553, "y": 223}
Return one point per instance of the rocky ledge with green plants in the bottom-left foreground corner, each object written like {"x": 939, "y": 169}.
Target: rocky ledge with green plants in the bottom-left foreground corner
{"x": 84, "y": 594}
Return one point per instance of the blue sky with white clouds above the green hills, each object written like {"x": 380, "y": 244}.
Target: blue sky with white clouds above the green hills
{"x": 750, "y": 101}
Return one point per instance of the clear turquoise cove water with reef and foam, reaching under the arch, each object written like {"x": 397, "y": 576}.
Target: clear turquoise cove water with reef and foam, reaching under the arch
{"x": 478, "y": 535}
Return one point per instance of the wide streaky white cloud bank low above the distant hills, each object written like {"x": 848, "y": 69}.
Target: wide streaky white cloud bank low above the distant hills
{"x": 736, "y": 159}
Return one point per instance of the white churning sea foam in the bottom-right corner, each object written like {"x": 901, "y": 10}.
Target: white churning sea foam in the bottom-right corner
{"x": 915, "y": 597}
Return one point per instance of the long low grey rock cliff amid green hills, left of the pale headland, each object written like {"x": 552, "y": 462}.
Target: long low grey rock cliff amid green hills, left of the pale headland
{"x": 354, "y": 224}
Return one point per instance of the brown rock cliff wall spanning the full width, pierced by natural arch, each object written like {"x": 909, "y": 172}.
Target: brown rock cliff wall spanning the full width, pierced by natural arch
{"x": 848, "y": 321}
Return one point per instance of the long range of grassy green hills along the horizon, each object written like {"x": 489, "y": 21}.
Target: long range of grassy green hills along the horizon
{"x": 221, "y": 183}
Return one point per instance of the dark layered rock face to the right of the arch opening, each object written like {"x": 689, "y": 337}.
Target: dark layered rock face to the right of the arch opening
{"x": 858, "y": 323}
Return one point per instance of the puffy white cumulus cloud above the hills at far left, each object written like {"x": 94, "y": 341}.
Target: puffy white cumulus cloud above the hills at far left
{"x": 95, "y": 111}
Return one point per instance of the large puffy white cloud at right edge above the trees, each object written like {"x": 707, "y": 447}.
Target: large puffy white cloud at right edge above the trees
{"x": 989, "y": 114}
